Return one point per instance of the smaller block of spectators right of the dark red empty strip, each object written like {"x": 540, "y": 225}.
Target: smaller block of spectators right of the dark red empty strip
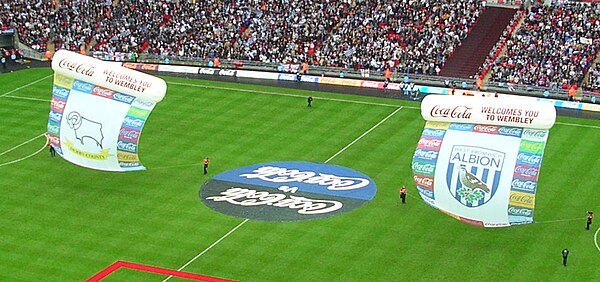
{"x": 554, "y": 47}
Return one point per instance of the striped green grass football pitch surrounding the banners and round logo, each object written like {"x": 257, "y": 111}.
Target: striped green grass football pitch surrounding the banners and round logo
{"x": 61, "y": 222}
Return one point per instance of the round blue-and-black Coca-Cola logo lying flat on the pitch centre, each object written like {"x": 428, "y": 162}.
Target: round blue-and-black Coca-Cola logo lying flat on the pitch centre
{"x": 287, "y": 191}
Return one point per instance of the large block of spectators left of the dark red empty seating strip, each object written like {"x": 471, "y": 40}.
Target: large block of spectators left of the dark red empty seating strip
{"x": 414, "y": 36}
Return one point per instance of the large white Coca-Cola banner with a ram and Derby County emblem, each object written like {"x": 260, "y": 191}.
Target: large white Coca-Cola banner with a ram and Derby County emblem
{"x": 98, "y": 111}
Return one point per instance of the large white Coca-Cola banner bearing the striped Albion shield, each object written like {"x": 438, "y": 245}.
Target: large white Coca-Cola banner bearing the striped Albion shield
{"x": 482, "y": 170}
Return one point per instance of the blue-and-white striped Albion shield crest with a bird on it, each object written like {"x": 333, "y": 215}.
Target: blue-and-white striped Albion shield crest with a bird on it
{"x": 473, "y": 174}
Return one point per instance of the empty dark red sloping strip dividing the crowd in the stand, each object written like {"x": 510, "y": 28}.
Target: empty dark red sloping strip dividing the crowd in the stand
{"x": 467, "y": 58}
